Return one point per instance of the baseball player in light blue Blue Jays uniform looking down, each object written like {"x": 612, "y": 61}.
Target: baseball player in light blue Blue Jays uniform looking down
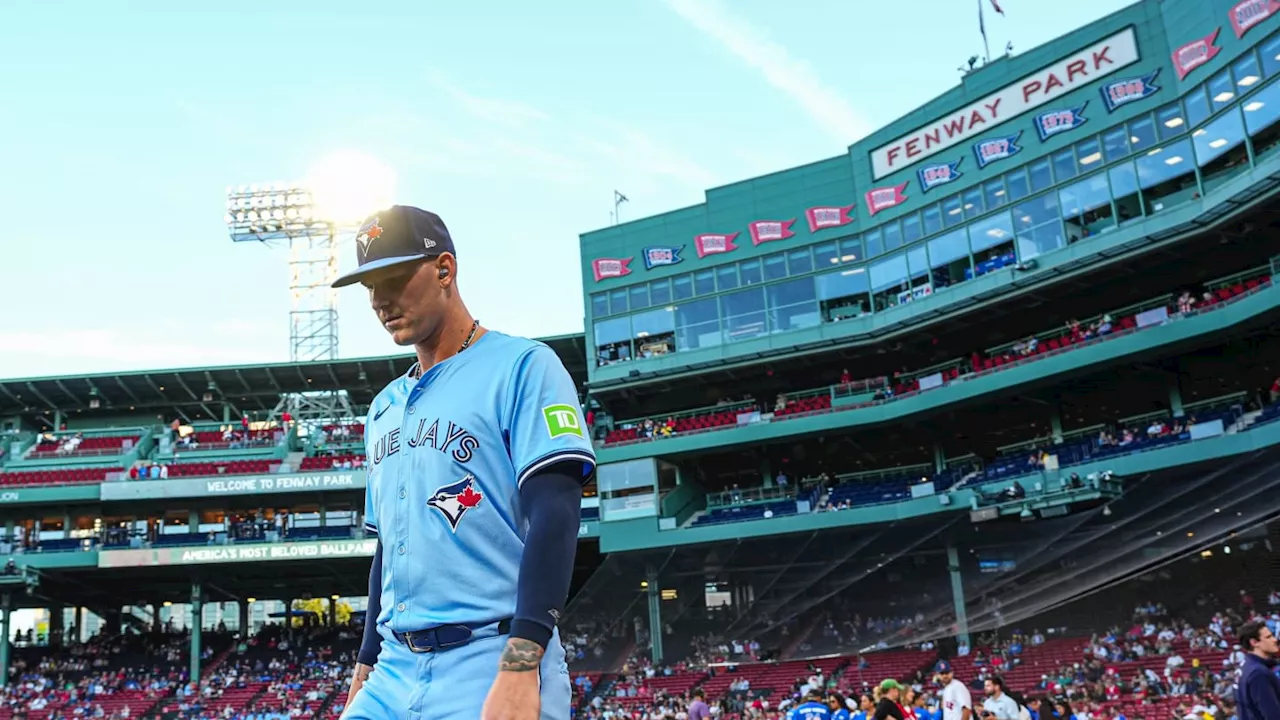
{"x": 476, "y": 459}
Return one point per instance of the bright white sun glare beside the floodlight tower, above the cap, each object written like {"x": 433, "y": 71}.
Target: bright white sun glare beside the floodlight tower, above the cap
{"x": 348, "y": 185}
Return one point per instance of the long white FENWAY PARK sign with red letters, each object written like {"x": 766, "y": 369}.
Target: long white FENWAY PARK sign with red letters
{"x": 968, "y": 124}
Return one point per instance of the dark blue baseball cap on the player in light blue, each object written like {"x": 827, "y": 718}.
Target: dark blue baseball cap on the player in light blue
{"x": 397, "y": 236}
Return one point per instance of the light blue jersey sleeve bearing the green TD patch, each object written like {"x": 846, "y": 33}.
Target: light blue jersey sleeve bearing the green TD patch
{"x": 545, "y": 421}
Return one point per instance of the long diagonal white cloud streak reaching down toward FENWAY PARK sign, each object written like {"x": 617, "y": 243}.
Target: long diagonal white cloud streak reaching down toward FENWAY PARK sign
{"x": 789, "y": 75}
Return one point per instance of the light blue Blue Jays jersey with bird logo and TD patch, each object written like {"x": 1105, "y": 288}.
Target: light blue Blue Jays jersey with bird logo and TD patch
{"x": 446, "y": 458}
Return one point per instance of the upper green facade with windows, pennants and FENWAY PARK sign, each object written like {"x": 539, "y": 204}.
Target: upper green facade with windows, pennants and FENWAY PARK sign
{"x": 1136, "y": 125}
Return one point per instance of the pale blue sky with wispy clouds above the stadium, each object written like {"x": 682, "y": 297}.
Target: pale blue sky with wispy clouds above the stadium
{"x": 120, "y": 133}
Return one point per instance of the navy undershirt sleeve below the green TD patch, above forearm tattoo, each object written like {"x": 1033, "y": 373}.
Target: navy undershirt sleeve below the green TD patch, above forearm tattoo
{"x": 552, "y": 502}
